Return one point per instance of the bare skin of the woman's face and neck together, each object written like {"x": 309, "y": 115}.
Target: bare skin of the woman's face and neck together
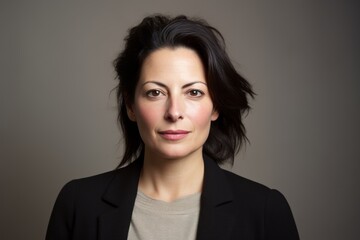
{"x": 173, "y": 111}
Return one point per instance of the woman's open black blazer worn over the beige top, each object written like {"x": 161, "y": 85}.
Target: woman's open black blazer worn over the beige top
{"x": 232, "y": 207}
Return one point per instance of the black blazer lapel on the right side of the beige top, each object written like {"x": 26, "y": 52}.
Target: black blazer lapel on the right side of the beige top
{"x": 217, "y": 213}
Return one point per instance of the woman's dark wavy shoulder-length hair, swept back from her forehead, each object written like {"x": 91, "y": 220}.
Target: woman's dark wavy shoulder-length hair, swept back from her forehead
{"x": 228, "y": 90}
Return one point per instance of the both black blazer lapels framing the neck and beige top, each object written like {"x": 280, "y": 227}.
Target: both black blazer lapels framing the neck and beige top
{"x": 216, "y": 211}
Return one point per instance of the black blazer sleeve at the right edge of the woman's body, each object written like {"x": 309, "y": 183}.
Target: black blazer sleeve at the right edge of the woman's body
{"x": 279, "y": 221}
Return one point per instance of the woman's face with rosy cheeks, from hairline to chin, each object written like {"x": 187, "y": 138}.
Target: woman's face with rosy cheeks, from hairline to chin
{"x": 172, "y": 105}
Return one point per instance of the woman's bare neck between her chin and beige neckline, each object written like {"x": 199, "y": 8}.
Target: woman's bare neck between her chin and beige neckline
{"x": 170, "y": 179}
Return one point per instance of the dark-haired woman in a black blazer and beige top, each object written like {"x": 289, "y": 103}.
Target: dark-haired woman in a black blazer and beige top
{"x": 181, "y": 104}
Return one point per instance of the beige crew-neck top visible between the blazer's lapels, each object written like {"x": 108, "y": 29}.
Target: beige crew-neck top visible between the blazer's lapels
{"x": 158, "y": 220}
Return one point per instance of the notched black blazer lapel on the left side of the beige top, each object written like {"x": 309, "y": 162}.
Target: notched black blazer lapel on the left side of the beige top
{"x": 121, "y": 194}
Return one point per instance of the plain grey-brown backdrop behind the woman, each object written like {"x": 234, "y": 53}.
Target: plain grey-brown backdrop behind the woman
{"x": 58, "y": 115}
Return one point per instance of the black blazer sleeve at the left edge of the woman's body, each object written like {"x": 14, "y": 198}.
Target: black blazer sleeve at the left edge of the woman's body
{"x": 62, "y": 216}
